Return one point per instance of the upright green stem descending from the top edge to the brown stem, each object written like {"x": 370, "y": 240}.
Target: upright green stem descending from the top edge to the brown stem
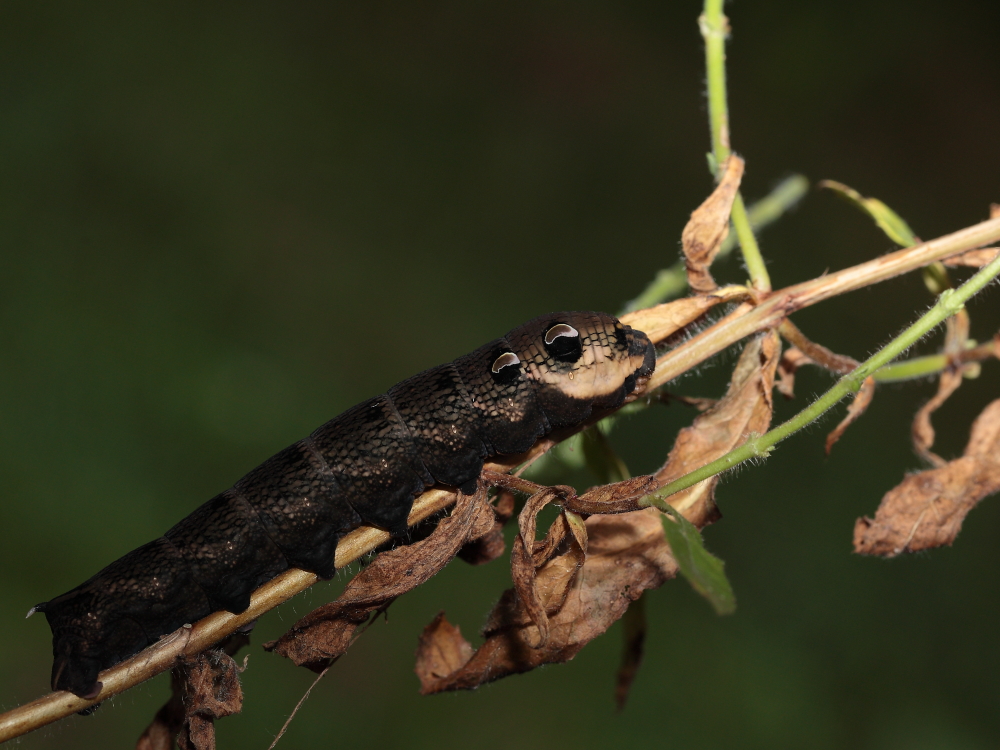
{"x": 714, "y": 29}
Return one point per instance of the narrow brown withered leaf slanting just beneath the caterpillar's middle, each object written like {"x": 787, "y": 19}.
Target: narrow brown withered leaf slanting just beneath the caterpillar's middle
{"x": 326, "y": 632}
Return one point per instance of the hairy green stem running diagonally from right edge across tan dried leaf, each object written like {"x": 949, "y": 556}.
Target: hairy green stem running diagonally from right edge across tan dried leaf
{"x": 759, "y": 446}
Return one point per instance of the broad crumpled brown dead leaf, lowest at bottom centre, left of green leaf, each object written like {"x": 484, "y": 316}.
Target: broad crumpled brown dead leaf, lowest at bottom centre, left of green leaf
{"x": 627, "y": 555}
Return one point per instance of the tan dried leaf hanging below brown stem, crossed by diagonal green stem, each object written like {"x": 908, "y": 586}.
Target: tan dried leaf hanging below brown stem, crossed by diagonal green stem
{"x": 745, "y": 409}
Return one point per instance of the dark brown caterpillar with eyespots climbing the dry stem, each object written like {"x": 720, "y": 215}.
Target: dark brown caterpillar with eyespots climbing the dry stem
{"x": 365, "y": 466}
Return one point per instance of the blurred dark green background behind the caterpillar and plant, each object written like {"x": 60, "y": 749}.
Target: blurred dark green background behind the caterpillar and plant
{"x": 221, "y": 224}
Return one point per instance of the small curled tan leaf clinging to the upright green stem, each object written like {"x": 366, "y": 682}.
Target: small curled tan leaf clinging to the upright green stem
{"x": 708, "y": 227}
